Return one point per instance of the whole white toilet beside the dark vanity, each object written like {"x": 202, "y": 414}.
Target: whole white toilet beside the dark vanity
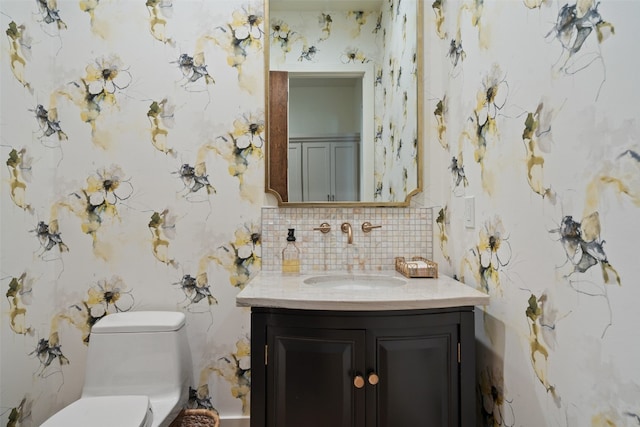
{"x": 138, "y": 372}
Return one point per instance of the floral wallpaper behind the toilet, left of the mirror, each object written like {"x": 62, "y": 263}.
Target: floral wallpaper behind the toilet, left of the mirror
{"x": 132, "y": 134}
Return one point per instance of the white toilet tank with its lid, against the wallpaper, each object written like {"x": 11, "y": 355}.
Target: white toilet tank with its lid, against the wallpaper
{"x": 144, "y": 352}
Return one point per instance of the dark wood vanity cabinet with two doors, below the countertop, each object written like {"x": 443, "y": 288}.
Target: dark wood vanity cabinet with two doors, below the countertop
{"x": 408, "y": 368}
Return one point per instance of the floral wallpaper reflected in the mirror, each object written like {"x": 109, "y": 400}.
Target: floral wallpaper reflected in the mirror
{"x": 384, "y": 37}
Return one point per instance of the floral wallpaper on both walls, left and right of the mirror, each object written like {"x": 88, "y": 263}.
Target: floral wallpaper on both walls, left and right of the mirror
{"x": 132, "y": 134}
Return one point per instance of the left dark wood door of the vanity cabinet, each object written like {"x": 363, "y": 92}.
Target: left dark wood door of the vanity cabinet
{"x": 315, "y": 377}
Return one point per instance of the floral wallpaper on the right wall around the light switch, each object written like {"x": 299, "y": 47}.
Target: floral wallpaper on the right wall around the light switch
{"x": 532, "y": 111}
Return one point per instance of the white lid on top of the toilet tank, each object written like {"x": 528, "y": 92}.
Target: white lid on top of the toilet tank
{"x": 140, "y": 321}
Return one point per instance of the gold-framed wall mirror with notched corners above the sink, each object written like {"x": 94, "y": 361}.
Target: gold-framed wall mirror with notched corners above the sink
{"x": 344, "y": 98}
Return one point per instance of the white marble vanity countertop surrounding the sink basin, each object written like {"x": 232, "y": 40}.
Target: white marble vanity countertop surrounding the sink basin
{"x": 273, "y": 289}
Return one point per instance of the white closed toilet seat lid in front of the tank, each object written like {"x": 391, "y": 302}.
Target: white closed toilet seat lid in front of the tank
{"x": 104, "y": 411}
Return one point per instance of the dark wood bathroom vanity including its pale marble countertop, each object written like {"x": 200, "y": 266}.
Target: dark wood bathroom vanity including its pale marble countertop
{"x": 377, "y": 350}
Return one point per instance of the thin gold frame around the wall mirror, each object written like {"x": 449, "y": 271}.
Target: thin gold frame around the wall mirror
{"x": 276, "y": 176}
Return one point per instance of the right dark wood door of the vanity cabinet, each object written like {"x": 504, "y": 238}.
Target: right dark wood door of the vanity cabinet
{"x": 417, "y": 373}
